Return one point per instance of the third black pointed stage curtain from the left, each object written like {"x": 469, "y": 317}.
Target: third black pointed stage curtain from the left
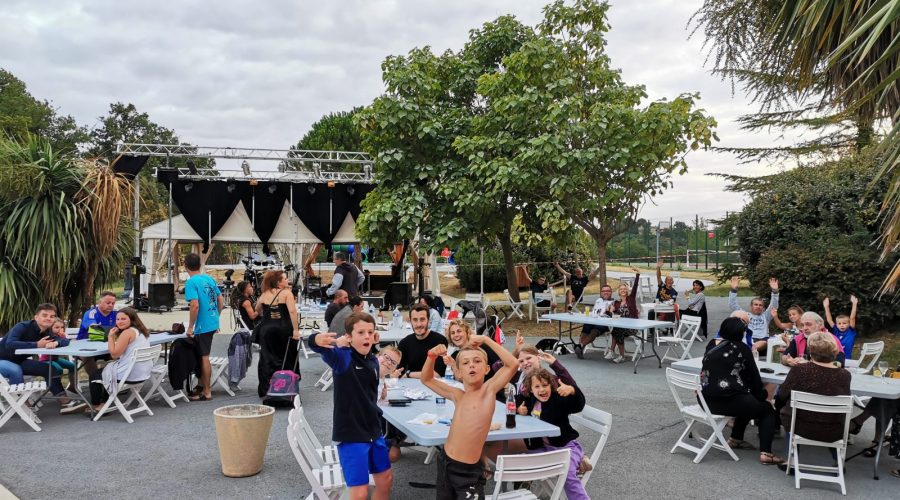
{"x": 313, "y": 208}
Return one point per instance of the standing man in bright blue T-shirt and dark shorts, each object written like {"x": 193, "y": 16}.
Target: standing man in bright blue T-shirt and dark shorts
{"x": 205, "y": 300}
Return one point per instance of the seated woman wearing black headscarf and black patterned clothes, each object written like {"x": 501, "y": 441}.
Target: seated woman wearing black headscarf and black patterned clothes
{"x": 732, "y": 387}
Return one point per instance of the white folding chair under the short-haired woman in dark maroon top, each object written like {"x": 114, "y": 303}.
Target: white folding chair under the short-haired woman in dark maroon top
{"x": 834, "y": 405}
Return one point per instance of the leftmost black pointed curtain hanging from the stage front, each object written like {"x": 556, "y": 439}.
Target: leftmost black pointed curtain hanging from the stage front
{"x": 198, "y": 200}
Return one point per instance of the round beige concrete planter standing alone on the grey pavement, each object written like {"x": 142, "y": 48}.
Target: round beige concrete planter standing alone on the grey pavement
{"x": 243, "y": 433}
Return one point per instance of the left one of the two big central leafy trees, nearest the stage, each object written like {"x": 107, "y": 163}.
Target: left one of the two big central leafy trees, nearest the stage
{"x": 426, "y": 189}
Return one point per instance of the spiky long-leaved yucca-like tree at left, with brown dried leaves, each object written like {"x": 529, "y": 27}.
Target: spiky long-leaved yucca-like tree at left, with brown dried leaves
{"x": 62, "y": 233}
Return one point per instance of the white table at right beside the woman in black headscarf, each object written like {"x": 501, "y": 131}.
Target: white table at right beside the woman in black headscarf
{"x": 884, "y": 392}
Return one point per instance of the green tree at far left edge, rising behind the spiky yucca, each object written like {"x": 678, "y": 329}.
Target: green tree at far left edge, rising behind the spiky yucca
{"x": 21, "y": 114}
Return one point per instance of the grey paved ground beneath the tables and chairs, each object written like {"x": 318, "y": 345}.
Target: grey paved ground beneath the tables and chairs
{"x": 174, "y": 454}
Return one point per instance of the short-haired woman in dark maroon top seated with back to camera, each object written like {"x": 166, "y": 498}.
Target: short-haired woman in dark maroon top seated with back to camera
{"x": 819, "y": 376}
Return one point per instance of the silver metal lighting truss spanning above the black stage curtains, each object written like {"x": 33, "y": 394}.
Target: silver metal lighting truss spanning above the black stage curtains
{"x": 308, "y": 162}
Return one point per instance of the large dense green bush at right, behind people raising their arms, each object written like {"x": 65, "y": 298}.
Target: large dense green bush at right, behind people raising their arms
{"x": 813, "y": 228}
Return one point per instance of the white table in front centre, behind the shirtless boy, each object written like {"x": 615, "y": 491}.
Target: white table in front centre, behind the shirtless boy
{"x": 436, "y": 434}
